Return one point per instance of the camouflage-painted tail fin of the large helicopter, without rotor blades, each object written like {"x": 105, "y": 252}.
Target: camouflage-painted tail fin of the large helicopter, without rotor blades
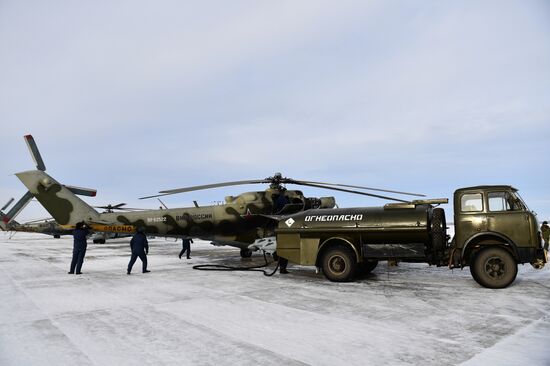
{"x": 60, "y": 201}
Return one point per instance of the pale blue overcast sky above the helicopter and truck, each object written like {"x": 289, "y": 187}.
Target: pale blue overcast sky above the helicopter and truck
{"x": 131, "y": 97}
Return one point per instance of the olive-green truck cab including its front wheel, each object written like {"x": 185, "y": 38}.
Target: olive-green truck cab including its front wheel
{"x": 495, "y": 231}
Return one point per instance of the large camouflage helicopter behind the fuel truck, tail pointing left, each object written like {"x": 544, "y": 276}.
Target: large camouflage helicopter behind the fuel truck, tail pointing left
{"x": 240, "y": 221}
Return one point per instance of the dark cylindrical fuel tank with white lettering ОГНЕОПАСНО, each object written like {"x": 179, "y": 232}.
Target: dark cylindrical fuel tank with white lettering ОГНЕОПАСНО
{"x": 407, "y": 224}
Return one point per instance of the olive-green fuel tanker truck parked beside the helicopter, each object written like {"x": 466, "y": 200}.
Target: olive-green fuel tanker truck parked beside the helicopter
{"x": 494, "y": 232}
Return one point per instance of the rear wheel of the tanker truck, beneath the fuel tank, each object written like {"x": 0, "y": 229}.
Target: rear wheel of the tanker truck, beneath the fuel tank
{"x": 339, "y": 264}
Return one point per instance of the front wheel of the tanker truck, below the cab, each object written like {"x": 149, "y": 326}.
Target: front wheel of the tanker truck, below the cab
{"x": 494, "y": 267}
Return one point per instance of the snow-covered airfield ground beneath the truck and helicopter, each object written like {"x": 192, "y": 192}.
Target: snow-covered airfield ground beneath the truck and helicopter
{"x": 406, "y": 315}
